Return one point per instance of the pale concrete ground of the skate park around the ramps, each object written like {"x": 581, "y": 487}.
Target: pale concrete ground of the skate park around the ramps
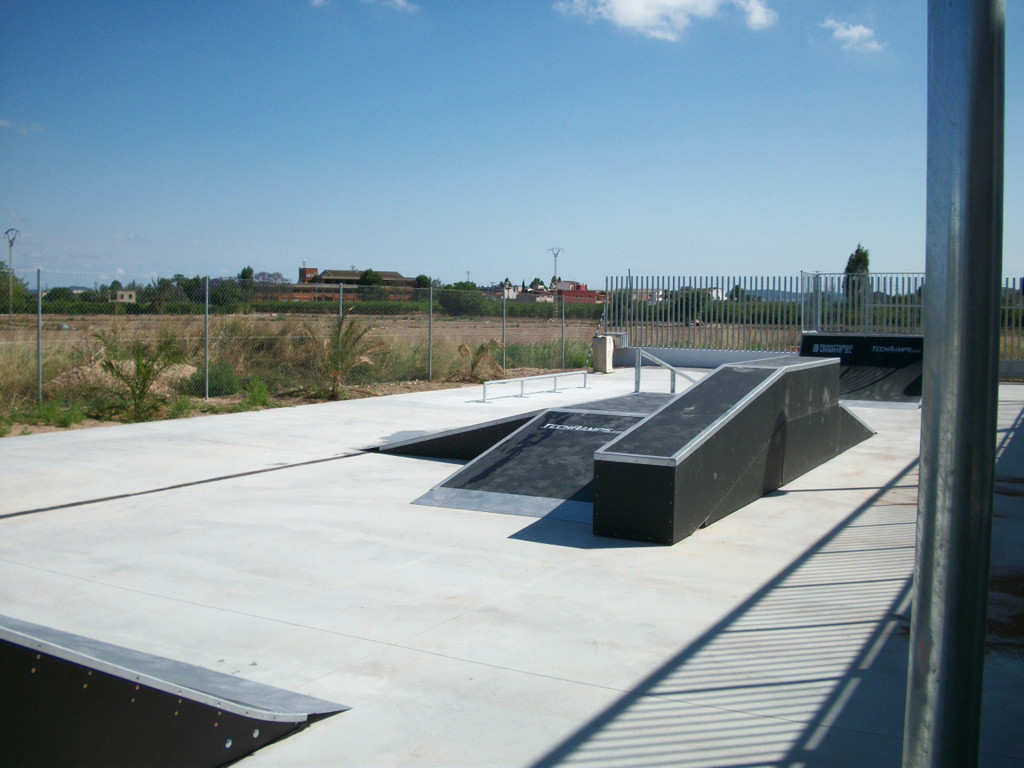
{"x": 269, "y": 546}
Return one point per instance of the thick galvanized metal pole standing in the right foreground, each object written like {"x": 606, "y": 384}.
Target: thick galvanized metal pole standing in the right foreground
{"x": 960, "y": 396}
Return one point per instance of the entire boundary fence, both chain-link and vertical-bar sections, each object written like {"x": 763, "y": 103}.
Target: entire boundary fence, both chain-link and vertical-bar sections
{"x": 58, "y": 328}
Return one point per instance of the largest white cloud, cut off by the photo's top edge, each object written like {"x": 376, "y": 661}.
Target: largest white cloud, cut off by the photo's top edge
{"x": 664, "y": 20}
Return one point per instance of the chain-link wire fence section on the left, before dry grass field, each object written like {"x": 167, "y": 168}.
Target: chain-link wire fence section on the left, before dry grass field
{"x": 57, "y": 329}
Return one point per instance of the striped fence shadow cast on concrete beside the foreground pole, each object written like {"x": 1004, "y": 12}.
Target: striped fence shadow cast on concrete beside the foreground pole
{"x": 809, "y": 671}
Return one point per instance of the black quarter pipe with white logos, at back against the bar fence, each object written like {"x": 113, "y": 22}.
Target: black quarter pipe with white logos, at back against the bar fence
{"x": 873, "y": 369}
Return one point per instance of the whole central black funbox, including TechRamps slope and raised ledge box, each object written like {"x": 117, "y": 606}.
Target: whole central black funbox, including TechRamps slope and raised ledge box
{"x": 654, "y": 467}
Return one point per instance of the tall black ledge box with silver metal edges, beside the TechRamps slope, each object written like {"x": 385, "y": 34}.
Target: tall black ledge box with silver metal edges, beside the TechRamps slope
{"x": 743, "y": 432}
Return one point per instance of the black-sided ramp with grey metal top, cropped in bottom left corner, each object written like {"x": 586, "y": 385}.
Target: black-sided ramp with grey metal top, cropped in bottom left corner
{"x": 71, "y": 701}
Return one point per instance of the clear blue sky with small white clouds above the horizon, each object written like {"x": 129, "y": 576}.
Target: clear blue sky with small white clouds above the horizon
{"x": 453, "y": 137}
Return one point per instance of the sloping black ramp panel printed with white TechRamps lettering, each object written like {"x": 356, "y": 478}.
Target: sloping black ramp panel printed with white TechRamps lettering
{"x": 552, "y": 457}
